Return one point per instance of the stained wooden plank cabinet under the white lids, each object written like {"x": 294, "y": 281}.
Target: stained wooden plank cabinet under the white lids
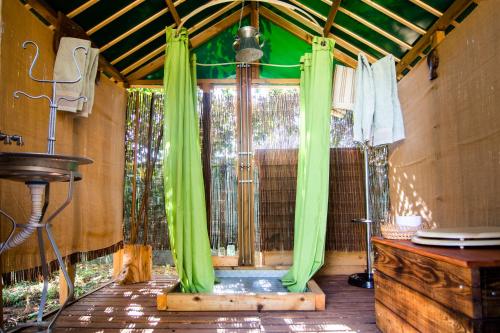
{"x": 436, "y": 289}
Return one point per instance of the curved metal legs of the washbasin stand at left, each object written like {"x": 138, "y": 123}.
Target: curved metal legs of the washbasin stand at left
{"x": 47, "y": 226}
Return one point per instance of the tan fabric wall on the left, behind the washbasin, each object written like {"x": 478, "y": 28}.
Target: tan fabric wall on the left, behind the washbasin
{"x": 93, "y": 221}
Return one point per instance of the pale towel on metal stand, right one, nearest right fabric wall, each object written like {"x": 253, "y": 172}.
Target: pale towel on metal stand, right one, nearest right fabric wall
{"x": 388, "y": 124}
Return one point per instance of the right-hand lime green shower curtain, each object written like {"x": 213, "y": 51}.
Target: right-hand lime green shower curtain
{"x": 311, "y": 205}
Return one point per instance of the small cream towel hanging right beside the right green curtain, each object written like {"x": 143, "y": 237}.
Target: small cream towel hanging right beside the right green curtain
{"x": 343, "y": 90}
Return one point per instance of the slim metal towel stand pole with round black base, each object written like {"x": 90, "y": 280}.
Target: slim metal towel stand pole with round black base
{"x": 365, "y": 280}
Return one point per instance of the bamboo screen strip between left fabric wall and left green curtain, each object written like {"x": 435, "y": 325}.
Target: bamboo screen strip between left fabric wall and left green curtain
{"x": 144, "y": 204}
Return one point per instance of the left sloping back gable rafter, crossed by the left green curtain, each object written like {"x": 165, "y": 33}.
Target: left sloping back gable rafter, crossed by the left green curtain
{"x": 196, "y": 41}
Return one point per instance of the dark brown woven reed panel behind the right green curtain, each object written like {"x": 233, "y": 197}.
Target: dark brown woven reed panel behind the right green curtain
{"x": 277, "y": 190}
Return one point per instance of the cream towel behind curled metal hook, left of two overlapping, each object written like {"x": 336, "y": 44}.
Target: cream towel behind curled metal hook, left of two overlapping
{"x": 65, "y": 70}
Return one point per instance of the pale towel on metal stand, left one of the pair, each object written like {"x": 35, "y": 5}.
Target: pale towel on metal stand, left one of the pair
{"x": 364, "y": 105}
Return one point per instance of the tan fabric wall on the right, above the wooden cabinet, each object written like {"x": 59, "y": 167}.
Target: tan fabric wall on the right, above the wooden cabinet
{"x": 448, "y": 168}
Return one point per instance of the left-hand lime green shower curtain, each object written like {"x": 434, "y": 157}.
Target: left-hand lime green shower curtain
{"x": 183, "y": 178}
